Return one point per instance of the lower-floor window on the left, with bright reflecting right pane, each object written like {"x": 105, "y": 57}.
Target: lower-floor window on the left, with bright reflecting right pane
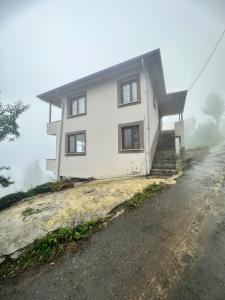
{"x": 76, "y": 143}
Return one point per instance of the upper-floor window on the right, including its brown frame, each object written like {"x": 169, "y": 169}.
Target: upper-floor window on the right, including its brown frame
{"x": 129, "y": 91}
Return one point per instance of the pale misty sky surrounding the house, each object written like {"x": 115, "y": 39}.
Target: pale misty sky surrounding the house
{"x": 44, "y": 44}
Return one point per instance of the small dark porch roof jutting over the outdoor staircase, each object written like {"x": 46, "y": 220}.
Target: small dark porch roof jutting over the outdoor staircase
{"x": 173, "y": 104}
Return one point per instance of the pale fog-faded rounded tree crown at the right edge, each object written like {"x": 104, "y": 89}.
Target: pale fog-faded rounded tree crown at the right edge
{"x": 215, "y": 107}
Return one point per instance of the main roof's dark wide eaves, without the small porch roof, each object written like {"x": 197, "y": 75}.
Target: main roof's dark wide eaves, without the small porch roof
{"x": 152, "y": 60}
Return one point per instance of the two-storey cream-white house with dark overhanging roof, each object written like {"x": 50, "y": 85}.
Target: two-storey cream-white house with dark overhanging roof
{"x": 111, "y": 121}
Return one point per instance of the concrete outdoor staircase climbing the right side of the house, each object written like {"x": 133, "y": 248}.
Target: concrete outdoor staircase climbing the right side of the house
{"x": 164, "y": 162}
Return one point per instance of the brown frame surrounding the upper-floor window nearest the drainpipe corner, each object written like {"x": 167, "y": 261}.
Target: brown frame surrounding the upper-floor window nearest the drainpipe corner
{"x": 128, "y": 80}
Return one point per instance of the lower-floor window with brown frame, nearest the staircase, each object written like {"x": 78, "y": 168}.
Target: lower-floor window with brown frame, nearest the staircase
{"x": 131, "y": 137}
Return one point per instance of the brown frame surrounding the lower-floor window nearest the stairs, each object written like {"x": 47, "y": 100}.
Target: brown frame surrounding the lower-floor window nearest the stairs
{"x": 121, "y": 127}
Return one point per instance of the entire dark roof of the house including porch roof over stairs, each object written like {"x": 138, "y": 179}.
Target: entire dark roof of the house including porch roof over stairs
{"x": 154, "y": 63}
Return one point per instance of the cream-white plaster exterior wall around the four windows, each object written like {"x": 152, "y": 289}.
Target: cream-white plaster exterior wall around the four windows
{"x": 102, "y": 157}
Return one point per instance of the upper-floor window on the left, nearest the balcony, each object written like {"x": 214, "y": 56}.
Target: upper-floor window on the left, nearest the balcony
{"x": 77, "y": 105}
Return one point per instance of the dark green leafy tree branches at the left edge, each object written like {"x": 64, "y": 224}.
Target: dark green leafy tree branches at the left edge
{"x": 9, "y": 130}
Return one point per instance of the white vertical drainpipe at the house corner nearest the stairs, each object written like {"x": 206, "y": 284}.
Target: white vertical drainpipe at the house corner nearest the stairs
{"x": 147, "y": 129}
